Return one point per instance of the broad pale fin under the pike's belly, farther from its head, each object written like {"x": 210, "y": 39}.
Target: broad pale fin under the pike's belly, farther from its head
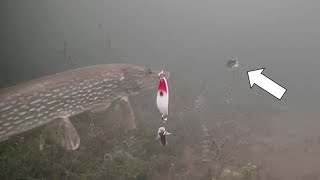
{"x": 61, "y": 132}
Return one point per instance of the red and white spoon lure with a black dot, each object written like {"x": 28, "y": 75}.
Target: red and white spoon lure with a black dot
{"x": 163, "y": 96}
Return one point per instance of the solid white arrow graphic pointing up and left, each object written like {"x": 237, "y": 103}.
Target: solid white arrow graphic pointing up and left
{"x": 256, "y": 77}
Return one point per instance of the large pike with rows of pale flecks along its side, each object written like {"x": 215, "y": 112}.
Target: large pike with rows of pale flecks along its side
{"x": 66, "y": 94}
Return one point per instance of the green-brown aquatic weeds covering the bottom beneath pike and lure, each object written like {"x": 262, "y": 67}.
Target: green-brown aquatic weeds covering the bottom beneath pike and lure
{"x": 109, "y": 150}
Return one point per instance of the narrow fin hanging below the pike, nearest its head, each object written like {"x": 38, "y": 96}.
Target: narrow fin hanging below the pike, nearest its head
{"x": 131, "y": 118}
